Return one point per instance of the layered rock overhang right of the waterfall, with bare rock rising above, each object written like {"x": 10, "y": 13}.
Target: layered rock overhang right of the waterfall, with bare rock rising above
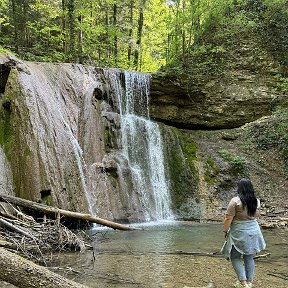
{"x": 238, "y": 95}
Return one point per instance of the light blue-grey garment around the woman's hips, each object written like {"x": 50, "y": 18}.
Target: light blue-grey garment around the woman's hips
{"x": 245, "y": 236}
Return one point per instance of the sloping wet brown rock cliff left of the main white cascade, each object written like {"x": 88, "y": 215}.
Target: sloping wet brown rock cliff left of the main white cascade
{"x": 57, "y": 137}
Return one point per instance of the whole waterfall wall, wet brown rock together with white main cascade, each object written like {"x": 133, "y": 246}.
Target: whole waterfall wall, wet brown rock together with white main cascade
{"x": 91, "y": 148}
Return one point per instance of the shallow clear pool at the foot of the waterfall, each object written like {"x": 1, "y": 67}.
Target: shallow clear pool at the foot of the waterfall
{"x": 163, "y": 255}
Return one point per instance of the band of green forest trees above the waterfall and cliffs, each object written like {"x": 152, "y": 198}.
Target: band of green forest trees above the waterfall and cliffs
{"x": 133, "y": 34}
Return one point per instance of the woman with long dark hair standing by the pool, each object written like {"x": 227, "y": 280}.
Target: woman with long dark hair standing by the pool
{"x": 242, "y": 233}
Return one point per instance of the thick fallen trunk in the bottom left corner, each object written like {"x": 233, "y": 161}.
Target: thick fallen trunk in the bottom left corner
{"x": 23, "y": 273}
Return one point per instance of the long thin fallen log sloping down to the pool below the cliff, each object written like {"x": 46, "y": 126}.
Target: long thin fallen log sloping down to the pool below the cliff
{"x": 69, "y": 214}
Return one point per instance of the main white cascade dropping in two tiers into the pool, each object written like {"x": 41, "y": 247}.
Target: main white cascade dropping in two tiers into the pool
{"x": 142, "y": 146}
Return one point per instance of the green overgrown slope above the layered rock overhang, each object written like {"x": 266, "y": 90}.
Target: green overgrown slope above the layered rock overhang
{"x": 228, "y": 25}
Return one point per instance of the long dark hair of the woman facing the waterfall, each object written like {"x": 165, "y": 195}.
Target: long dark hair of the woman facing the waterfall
{"x": 247, "y": 196}
